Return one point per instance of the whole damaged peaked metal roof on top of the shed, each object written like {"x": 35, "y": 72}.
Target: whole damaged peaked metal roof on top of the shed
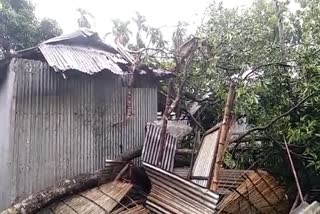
{"x": 84, "y": 51}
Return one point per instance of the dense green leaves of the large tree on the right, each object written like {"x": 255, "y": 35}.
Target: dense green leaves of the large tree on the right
{"x": 285, "y": 71}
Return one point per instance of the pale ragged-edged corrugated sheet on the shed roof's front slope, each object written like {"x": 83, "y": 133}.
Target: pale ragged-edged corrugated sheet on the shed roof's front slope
{"x": 86, "y": 59}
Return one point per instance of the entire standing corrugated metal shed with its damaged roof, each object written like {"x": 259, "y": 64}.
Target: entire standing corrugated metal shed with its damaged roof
{"x": 66, "y": 106}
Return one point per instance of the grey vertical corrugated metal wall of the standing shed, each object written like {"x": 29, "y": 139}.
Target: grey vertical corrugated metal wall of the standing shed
{"x": 64, "y": 127}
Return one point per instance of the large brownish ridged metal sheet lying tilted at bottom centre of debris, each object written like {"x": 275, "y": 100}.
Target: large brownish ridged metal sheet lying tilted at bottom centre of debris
{"x": 173, "y": 194}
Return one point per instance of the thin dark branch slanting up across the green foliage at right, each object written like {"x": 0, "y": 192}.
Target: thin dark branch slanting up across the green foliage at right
{"x": 261, "y": 128}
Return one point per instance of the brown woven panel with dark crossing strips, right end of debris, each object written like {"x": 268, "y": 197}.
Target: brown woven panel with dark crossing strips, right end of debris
{"x": 259, "y": 193}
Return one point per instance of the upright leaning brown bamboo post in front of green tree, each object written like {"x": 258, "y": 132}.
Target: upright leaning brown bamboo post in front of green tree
{"x": 223, "y": 137}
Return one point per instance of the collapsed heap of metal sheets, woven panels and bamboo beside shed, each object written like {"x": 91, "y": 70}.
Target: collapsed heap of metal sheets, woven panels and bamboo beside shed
{"x": 158, "y": 187}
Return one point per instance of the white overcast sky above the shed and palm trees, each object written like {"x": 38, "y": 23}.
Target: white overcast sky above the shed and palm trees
{"x": 158, "y": 12}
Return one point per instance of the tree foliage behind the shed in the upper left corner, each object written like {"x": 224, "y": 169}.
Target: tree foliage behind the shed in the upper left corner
{"x": 19, "y": 28}
